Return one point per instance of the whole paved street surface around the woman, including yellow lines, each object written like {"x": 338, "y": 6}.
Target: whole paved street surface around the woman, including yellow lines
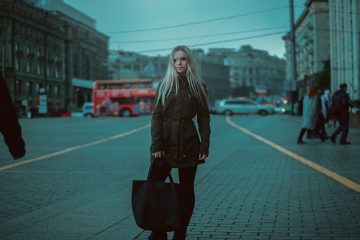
{"x": 257, "y": 183}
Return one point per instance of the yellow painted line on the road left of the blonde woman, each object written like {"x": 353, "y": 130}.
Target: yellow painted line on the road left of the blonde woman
{"x": 71, "y": 149}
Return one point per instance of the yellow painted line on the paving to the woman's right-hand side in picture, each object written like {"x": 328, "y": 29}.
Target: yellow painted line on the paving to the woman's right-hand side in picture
{"x": 341, "y": 179}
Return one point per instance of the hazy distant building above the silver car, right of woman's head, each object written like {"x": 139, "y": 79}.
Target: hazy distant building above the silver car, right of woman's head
{"x": 252, "y": 70}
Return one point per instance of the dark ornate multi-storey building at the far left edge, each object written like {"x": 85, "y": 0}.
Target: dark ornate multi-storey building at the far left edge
{"x": 33, "y": 53}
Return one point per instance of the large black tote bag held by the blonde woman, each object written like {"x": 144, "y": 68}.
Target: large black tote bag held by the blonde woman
{"x": 156, "y": 205}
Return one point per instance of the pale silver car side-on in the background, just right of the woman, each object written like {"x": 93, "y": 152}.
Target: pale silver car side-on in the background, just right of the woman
{"x": 230, "y": 106}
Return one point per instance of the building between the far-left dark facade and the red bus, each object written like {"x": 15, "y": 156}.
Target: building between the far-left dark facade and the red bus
{"x": 87, "y": 48}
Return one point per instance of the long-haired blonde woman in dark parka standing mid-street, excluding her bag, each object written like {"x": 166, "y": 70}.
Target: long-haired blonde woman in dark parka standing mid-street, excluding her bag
{"x": 181, "y": 96}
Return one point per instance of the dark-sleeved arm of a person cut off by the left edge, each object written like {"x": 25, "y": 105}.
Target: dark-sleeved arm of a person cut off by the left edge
{"x": 9, "y": 124}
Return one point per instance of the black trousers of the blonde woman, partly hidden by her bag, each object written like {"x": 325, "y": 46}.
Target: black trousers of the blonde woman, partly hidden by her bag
{"x": 187, "y": 194}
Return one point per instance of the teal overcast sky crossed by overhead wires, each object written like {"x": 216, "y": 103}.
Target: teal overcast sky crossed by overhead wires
{"x": 208, "y": 23}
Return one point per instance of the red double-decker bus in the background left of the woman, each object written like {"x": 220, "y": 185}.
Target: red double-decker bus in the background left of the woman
{"x": 131, "y": 97}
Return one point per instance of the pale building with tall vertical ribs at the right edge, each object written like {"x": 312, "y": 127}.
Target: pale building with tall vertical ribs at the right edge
{"x": 345, "y": 45}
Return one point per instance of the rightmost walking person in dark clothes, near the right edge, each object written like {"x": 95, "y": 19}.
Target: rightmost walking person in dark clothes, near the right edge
{"x": 340, "y": 109}
